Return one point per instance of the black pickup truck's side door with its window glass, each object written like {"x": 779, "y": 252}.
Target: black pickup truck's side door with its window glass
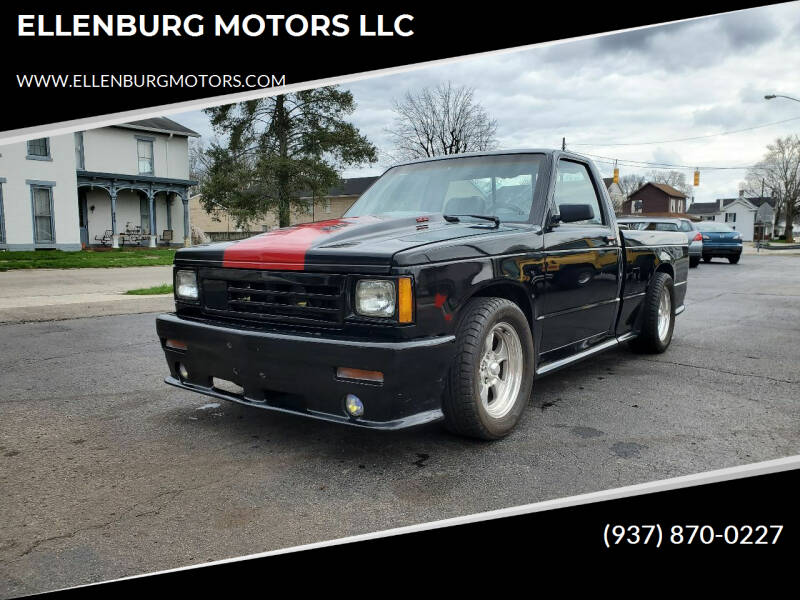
{"x": 581, "y": 290}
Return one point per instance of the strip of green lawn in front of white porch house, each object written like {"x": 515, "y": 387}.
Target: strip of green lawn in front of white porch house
{"x": 57, "y": 259}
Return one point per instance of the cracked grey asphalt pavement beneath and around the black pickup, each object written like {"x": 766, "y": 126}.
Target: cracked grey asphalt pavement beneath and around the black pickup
{"x": 106, "y": 472}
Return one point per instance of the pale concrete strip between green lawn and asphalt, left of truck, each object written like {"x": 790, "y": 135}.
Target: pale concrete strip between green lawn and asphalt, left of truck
{"x": 55, "y": 294}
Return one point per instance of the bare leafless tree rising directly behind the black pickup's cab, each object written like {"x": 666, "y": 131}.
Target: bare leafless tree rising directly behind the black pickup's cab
{"x": 438, "y": 121}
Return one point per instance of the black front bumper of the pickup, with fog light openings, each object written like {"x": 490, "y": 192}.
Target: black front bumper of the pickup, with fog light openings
{"x": 296, "y": 373}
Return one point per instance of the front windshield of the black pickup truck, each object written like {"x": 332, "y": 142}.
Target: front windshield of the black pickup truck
{"x": 500, "y": 185}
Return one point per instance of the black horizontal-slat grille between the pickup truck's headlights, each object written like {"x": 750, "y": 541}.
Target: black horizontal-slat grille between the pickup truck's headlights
{"x": 275, "y": 296}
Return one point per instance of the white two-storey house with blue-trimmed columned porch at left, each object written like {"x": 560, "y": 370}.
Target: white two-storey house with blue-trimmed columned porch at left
{"x": 101, "y": 186}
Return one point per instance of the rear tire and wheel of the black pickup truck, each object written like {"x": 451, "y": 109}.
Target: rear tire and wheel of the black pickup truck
{"x": 658, "y": 316}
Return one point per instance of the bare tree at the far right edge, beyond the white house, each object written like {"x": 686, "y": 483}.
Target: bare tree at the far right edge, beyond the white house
{"x": 779, "y": 172}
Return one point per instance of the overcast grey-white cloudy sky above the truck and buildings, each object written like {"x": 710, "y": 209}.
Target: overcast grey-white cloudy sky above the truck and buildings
{"x": 672, "y": 81}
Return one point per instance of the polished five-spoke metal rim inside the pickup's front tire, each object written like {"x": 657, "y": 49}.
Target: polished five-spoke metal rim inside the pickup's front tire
{"x": 500, "y": 370}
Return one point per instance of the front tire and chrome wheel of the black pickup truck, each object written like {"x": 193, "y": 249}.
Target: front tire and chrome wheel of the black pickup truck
{"x": 490, "y": 381}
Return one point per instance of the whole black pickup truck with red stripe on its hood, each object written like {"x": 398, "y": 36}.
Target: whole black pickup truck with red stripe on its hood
{"x": 443, "y": 292}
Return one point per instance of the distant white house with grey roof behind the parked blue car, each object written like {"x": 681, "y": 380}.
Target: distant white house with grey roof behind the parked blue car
{"x": 754, "y": 218}
